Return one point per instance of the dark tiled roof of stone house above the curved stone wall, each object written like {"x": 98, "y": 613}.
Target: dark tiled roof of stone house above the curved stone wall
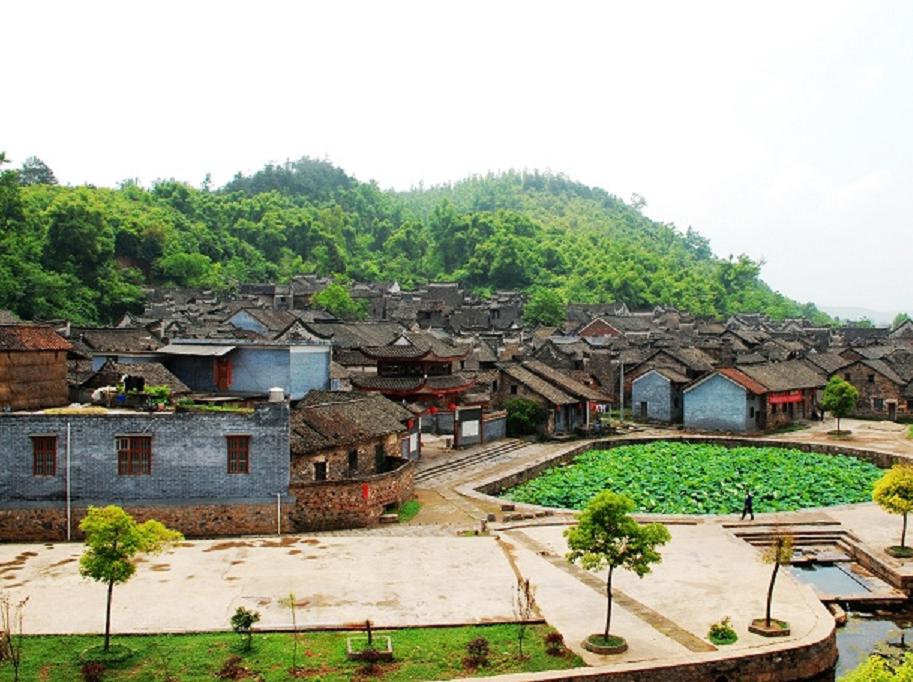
{"x": 326, "y": 419}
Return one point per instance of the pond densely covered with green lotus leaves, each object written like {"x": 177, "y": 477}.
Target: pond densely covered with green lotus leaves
{"x": 698, "y": 478}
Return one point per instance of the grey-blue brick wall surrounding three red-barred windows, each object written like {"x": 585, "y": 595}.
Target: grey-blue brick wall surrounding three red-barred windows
{"x": 189, "y": 457}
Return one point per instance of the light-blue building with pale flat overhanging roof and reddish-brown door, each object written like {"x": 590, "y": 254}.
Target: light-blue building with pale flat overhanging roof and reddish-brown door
{"x": 249, "y": 368}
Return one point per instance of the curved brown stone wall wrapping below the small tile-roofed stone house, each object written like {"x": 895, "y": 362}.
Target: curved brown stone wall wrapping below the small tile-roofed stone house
{"x": 329, "y": 505}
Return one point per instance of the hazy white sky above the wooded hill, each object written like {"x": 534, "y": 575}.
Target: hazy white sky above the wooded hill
{"x": 778, "y": 129}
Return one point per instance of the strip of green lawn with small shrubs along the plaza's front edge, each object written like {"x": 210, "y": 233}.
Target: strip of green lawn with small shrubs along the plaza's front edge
{"x": 420, "y": 654}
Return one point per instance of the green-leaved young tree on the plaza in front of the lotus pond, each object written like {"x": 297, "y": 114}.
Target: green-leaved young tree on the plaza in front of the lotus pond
{"x": 607, "y": 536}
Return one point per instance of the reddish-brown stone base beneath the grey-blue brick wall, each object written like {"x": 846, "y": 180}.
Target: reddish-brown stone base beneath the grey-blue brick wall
{"x": 47, "y": 522}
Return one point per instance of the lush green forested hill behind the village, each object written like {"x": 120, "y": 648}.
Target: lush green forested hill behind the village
{"x": 85, "y": 253}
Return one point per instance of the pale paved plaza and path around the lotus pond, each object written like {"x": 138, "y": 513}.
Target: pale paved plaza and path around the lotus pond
{"x": 425, "y": 573}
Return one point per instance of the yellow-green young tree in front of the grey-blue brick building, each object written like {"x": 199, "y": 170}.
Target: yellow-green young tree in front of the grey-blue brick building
{"x": 113, "y": 539}
